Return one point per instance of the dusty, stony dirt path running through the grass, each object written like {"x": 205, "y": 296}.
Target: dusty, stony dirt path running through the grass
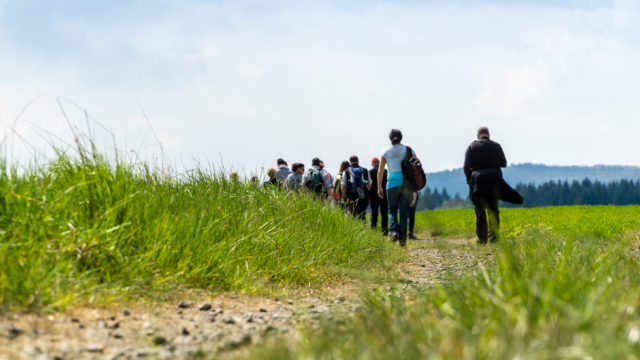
{"x": 200, "y": 324}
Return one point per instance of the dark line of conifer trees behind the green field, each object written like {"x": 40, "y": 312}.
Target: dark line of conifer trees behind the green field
{"x": 550, "y": 193}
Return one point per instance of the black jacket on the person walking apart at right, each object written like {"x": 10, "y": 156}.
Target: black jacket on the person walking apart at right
{"x": 482, "y": 168}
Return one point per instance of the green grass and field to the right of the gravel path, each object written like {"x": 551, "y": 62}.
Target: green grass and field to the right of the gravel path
{"x": 564, "y": 285}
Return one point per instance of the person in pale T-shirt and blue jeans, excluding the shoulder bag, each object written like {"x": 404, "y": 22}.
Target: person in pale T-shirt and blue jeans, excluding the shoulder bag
{"x": 398, "y": 197}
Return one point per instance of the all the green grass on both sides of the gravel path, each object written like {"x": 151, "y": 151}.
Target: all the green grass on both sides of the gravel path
{"x": 563, "y": 282}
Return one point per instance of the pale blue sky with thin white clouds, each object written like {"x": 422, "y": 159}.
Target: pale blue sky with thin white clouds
{"x": 238, "y": 84}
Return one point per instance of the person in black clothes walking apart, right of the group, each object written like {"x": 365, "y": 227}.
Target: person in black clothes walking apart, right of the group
{"x": 482, "y": 168}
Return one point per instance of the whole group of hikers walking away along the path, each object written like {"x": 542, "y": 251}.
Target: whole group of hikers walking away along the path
{"x": 391, "y": 186}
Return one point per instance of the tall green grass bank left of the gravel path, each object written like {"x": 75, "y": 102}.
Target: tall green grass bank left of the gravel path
{"x": 82, "y": 228}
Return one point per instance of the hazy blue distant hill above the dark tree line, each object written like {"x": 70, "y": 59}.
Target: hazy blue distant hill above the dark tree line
{"x": 454, "y": 181}
